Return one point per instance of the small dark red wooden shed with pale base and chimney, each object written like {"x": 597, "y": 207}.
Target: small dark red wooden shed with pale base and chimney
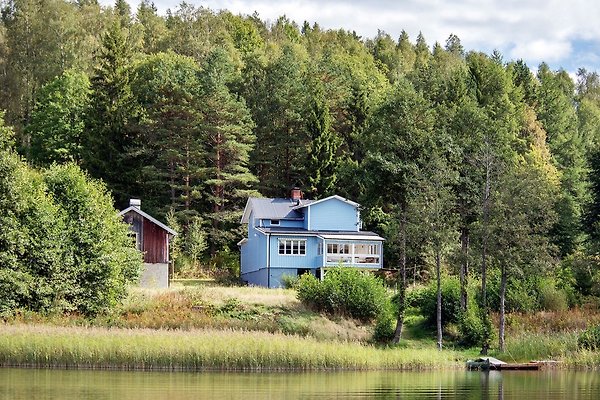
{"x": 152, "y": 238}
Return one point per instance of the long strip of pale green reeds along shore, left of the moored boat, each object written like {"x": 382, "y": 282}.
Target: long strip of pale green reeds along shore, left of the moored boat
{"x": 197, "y": 350}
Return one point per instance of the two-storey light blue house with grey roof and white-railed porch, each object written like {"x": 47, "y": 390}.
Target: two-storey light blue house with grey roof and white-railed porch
{"x": 295, "y": 236}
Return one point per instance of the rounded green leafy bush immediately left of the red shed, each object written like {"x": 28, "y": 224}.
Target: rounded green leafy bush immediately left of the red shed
{"x": 96, "y": 239}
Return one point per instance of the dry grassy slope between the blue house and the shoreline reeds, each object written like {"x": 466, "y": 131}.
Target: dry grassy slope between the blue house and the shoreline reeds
{"x": 200, "y": 307}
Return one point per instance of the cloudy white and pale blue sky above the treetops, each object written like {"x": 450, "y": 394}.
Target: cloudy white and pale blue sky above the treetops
{"x": 563, "y": 33}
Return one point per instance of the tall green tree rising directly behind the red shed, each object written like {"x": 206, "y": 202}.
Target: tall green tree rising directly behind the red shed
{"x": 168, "y": 141}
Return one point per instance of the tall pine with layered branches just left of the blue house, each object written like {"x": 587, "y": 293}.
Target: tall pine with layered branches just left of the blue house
{"x": 228, "y": 139}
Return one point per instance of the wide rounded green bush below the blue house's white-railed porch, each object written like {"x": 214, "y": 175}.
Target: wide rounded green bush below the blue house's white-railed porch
{"x": 344, "y": 291}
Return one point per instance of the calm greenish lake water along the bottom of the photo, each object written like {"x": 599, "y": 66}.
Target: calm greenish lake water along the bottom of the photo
{"x": 70, "y": 385}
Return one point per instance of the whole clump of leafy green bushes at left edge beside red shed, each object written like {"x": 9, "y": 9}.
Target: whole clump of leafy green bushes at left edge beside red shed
{"x": 63, "y": 246}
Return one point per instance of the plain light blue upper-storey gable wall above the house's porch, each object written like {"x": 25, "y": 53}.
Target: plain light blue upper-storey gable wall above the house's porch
{"x": 333, "y": 215}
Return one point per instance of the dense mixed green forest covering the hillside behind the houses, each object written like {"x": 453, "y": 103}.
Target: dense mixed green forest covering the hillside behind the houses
{"x": 470, "y": 165}
